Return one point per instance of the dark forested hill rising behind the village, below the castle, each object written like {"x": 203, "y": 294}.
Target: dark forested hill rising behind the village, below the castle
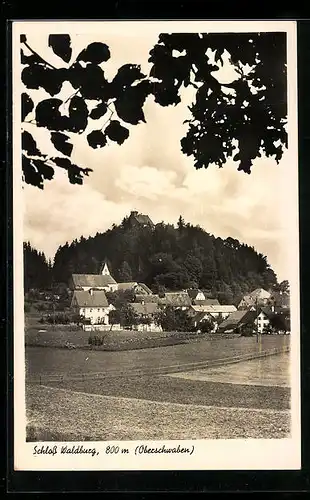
{"x": 164, "y": 258}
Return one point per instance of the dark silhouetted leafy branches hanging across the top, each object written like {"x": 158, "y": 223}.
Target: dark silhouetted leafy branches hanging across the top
{"x": 241, "y": 119}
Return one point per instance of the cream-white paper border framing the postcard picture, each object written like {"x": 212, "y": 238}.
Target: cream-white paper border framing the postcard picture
{"x": 209, "y": 454}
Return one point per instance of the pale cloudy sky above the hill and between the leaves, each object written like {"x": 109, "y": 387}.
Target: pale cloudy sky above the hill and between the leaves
{"x": 150, "y": 174}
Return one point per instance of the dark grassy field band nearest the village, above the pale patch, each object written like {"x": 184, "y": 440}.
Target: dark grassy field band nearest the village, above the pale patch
{"x": 45, "y": 360}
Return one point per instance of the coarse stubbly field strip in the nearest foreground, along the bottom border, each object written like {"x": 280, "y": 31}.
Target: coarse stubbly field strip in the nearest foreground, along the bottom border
{"x": 59, "y": 415}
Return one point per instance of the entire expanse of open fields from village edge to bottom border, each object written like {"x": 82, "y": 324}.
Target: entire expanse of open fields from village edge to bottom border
{"x": 226, "y": 402}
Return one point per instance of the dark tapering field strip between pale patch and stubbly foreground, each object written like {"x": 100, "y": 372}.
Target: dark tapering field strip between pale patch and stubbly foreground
{"x": 184, "y": 391}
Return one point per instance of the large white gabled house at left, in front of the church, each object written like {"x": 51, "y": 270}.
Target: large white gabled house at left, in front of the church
{"x": 92, "y": 305}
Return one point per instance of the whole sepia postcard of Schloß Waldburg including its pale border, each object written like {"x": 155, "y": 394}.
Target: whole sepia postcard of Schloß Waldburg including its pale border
{"x": 156, "y": 258}
